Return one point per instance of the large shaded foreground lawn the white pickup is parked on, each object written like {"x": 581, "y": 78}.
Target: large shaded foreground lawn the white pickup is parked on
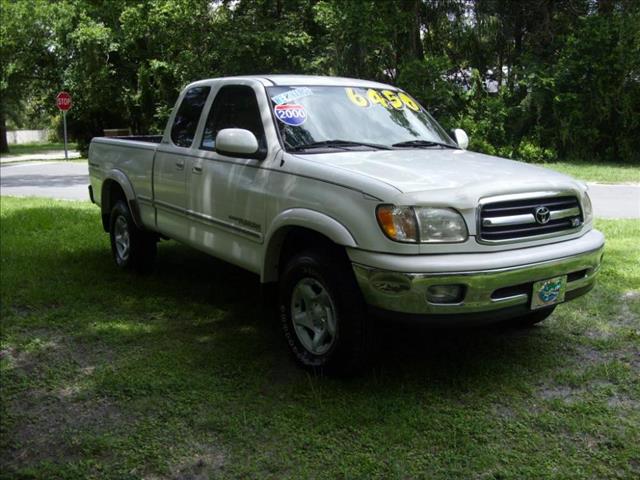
{"x": 180, "y": 375}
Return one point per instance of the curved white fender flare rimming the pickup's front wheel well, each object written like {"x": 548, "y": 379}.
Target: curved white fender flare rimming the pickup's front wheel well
{"x": 301, "y": 218}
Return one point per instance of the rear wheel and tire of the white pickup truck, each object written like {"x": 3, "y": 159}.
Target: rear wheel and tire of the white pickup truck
{"x": 131, "y": 247}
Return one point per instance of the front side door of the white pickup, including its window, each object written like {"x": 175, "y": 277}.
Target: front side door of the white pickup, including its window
{"x": 227, "y": 192}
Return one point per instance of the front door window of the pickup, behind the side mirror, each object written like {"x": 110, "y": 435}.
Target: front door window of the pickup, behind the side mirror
{"x": 235, "y": 106}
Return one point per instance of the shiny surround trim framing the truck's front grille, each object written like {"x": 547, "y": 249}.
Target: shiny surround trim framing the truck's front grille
{"x": 526, "y": 196}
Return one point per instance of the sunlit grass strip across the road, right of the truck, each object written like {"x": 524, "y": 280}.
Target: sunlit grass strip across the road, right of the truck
{"x": 598, "y": 172}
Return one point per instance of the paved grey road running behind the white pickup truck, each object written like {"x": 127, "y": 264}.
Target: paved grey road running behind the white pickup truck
{"x": 69, "y": 180}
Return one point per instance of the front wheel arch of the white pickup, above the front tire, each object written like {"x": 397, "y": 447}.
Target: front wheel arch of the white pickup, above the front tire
{"x": 296, "y": 228}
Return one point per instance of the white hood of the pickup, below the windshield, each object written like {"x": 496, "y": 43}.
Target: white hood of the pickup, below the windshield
{"x": 449, "y": 173}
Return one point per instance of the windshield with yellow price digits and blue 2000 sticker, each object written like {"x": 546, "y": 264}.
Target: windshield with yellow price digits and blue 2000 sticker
{"x": 343, "y": 118}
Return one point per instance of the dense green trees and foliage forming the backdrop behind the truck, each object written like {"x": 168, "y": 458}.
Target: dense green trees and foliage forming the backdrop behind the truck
{"x": 536, "y": 80}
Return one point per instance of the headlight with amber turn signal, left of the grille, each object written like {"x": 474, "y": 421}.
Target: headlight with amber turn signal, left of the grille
{"x": 421, "y": 224}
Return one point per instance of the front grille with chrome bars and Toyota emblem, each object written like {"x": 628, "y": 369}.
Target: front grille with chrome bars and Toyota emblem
{"x": 523, "y": 218}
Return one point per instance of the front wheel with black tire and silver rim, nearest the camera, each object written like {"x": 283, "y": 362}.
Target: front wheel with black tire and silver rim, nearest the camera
{"x": 322, "y": 313}
